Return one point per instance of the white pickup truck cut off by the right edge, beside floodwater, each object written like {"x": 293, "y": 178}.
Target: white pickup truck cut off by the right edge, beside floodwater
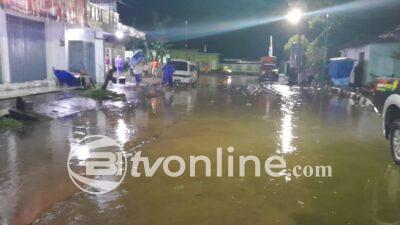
{"x": 387, "y": 101}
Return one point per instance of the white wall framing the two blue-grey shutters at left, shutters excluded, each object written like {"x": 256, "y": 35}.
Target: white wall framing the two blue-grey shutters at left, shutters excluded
{"x": 56, "y": 53}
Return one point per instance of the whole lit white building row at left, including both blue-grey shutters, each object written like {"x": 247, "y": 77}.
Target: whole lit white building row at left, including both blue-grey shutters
{"x": 37, "y": 36}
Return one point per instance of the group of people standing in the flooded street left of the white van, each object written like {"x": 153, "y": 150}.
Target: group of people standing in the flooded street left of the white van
{"x": 140, "y": 68}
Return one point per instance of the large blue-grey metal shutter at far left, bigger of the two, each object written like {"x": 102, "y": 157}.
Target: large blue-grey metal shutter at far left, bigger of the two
{"x": 27, "y": 51}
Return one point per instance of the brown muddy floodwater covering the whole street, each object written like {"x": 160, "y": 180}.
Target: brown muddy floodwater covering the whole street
{"x": 305, "y": 128}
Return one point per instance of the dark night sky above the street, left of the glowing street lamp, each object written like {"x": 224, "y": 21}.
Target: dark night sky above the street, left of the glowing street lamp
{"x": 248, "y": 43}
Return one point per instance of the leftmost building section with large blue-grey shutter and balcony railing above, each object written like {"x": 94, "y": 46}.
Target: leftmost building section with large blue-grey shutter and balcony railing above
{"x": 32, "y": 39}
